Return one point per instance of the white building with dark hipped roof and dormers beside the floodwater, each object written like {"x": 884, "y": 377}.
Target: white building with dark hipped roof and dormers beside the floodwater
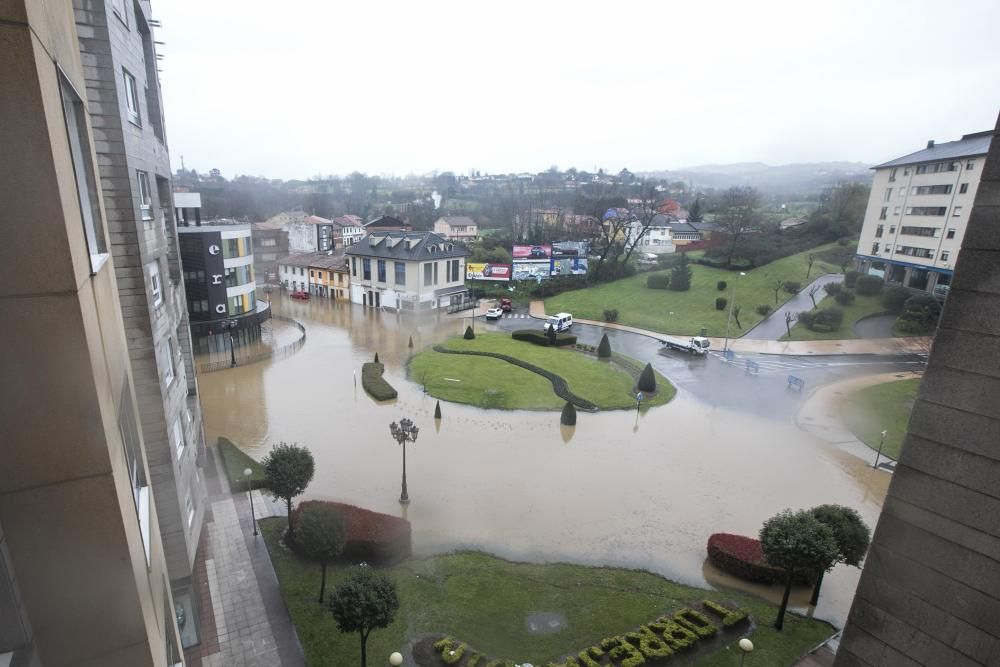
{"x": 407, "y": 271}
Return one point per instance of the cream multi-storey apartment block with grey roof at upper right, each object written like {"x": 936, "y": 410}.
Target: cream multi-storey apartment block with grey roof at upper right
{"x": 918, "y": 210}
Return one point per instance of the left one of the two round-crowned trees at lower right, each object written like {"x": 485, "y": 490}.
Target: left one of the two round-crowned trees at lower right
{"x": 801, "y": 545}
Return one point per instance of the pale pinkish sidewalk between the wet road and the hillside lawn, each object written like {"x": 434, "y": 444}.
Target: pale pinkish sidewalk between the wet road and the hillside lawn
{"x": 909, "y": 345}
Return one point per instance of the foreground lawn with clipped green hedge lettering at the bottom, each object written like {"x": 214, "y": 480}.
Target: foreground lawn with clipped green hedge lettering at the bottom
{"x": 483, "y": 600}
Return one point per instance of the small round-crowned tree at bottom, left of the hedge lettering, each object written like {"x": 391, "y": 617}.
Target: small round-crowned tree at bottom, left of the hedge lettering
{"x": 366, "y": 600}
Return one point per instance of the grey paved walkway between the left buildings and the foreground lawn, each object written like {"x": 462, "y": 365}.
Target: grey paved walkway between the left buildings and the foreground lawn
{"x": 244, "y": 622}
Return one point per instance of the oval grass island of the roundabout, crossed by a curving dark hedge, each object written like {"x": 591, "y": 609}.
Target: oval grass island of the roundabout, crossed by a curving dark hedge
{"x": 492, "y": 383}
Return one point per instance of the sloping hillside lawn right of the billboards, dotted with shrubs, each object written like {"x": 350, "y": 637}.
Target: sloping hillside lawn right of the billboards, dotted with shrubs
{"x": 651, "y": 308}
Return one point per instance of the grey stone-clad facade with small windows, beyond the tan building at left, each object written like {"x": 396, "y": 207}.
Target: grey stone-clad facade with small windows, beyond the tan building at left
{"x": 158, "y": 330}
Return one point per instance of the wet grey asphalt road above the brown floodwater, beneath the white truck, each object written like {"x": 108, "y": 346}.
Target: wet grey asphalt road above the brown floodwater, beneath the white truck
{"x": 717, "y": 383}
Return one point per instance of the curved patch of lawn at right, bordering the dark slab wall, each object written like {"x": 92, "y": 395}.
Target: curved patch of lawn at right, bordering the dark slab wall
{"x": 884, "y": 406}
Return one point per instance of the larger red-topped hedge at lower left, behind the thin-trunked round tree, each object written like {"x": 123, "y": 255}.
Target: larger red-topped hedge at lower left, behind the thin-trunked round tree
{"x": 372, "y": 537}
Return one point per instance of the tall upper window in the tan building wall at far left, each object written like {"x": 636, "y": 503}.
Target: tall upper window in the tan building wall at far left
{"x": 83, "y": 168}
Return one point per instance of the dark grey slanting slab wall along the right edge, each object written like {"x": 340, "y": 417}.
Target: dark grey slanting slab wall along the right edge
{"x": 930, "y": 590}
